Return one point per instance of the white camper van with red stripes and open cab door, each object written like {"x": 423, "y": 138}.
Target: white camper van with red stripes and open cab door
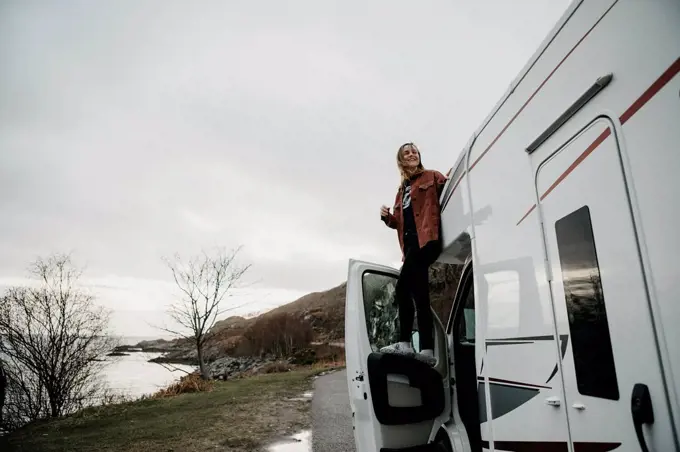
{"x": 564, "y": 210}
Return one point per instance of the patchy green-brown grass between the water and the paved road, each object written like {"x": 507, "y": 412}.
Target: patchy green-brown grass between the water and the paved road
{"x": 239, "y": 415}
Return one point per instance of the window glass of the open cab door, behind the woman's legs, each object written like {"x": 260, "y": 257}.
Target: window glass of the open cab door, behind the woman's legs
{"x": 380, "y": 309}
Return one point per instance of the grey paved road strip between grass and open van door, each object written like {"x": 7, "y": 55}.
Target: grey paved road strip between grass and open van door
{"x": 331, "y": 415}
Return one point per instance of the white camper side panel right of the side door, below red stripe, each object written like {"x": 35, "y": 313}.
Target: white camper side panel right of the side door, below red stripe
{"x": 655, "y": 170}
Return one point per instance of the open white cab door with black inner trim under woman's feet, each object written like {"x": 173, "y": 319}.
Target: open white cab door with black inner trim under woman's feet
{"x": 398, "y": 403}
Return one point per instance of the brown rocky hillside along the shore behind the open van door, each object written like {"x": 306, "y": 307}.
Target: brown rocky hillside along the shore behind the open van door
{"x": 317, "y": 318}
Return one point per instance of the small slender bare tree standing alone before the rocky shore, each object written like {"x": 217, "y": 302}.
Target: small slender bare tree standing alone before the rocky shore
{"x": 204, "y": 281}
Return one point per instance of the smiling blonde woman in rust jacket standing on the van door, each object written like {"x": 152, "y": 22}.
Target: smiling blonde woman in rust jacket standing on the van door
{"x": 417, "y": 221}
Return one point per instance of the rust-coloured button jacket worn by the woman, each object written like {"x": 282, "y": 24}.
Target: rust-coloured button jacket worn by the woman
{"x": 426, "y": 189}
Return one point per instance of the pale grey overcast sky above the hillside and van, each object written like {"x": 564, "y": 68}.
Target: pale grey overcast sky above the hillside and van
{"x": 130, "y": 130}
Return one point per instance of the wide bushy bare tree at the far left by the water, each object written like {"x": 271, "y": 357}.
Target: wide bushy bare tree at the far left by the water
{"x": 53, "y": 338}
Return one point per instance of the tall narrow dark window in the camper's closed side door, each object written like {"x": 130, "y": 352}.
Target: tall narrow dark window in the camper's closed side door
{"x": 589, "y": 330}
